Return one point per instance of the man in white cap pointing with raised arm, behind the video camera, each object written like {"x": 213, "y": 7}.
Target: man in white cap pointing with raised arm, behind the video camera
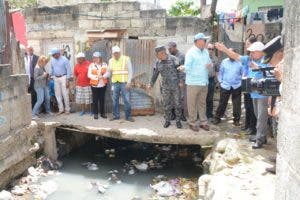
{"x": 260, "y": 103}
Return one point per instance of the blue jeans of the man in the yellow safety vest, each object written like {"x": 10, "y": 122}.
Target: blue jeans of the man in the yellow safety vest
{"x": 117, "y": 89}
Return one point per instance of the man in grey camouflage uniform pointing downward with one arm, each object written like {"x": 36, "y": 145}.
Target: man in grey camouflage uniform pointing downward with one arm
{"x": 167, "y": 67}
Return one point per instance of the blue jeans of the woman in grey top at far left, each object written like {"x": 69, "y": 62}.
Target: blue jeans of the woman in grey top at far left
{"x": 42, "y": 95}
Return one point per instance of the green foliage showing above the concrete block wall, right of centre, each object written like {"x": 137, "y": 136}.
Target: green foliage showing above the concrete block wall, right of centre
{"x": 184, "y": 8}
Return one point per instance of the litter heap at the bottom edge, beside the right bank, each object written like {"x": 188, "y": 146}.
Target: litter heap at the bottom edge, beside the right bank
{"x": 178, "y": 188}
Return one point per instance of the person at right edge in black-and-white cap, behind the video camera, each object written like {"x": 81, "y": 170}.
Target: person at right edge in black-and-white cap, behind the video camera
{"x": 274, "y": 57}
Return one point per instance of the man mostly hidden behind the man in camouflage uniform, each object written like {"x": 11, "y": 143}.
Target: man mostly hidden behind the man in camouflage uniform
{"x": 172, "y": 47}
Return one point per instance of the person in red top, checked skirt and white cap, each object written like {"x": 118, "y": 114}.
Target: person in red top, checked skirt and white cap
{"x": 83, "y": 88}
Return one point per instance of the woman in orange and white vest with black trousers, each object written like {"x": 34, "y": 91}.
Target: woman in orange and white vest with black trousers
{"x": 98, "y": 74}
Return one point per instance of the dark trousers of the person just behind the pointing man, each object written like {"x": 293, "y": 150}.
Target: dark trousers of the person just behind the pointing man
{"x": 250, "y": 119}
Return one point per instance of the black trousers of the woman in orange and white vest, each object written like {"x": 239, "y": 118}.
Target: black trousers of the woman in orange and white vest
{"x": 98, "y": 97}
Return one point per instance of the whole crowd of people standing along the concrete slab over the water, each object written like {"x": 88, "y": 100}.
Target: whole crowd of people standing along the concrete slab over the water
{"x": 187, "y": 83}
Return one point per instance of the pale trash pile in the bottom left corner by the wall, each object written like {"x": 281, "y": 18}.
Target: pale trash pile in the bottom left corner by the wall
{"x": 31, "y": 185}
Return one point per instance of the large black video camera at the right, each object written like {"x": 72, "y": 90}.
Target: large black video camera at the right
{"x": 267, "y": 86}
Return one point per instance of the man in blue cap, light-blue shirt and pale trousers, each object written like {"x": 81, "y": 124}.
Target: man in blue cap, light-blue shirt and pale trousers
{"x": 61, "y": 74}
